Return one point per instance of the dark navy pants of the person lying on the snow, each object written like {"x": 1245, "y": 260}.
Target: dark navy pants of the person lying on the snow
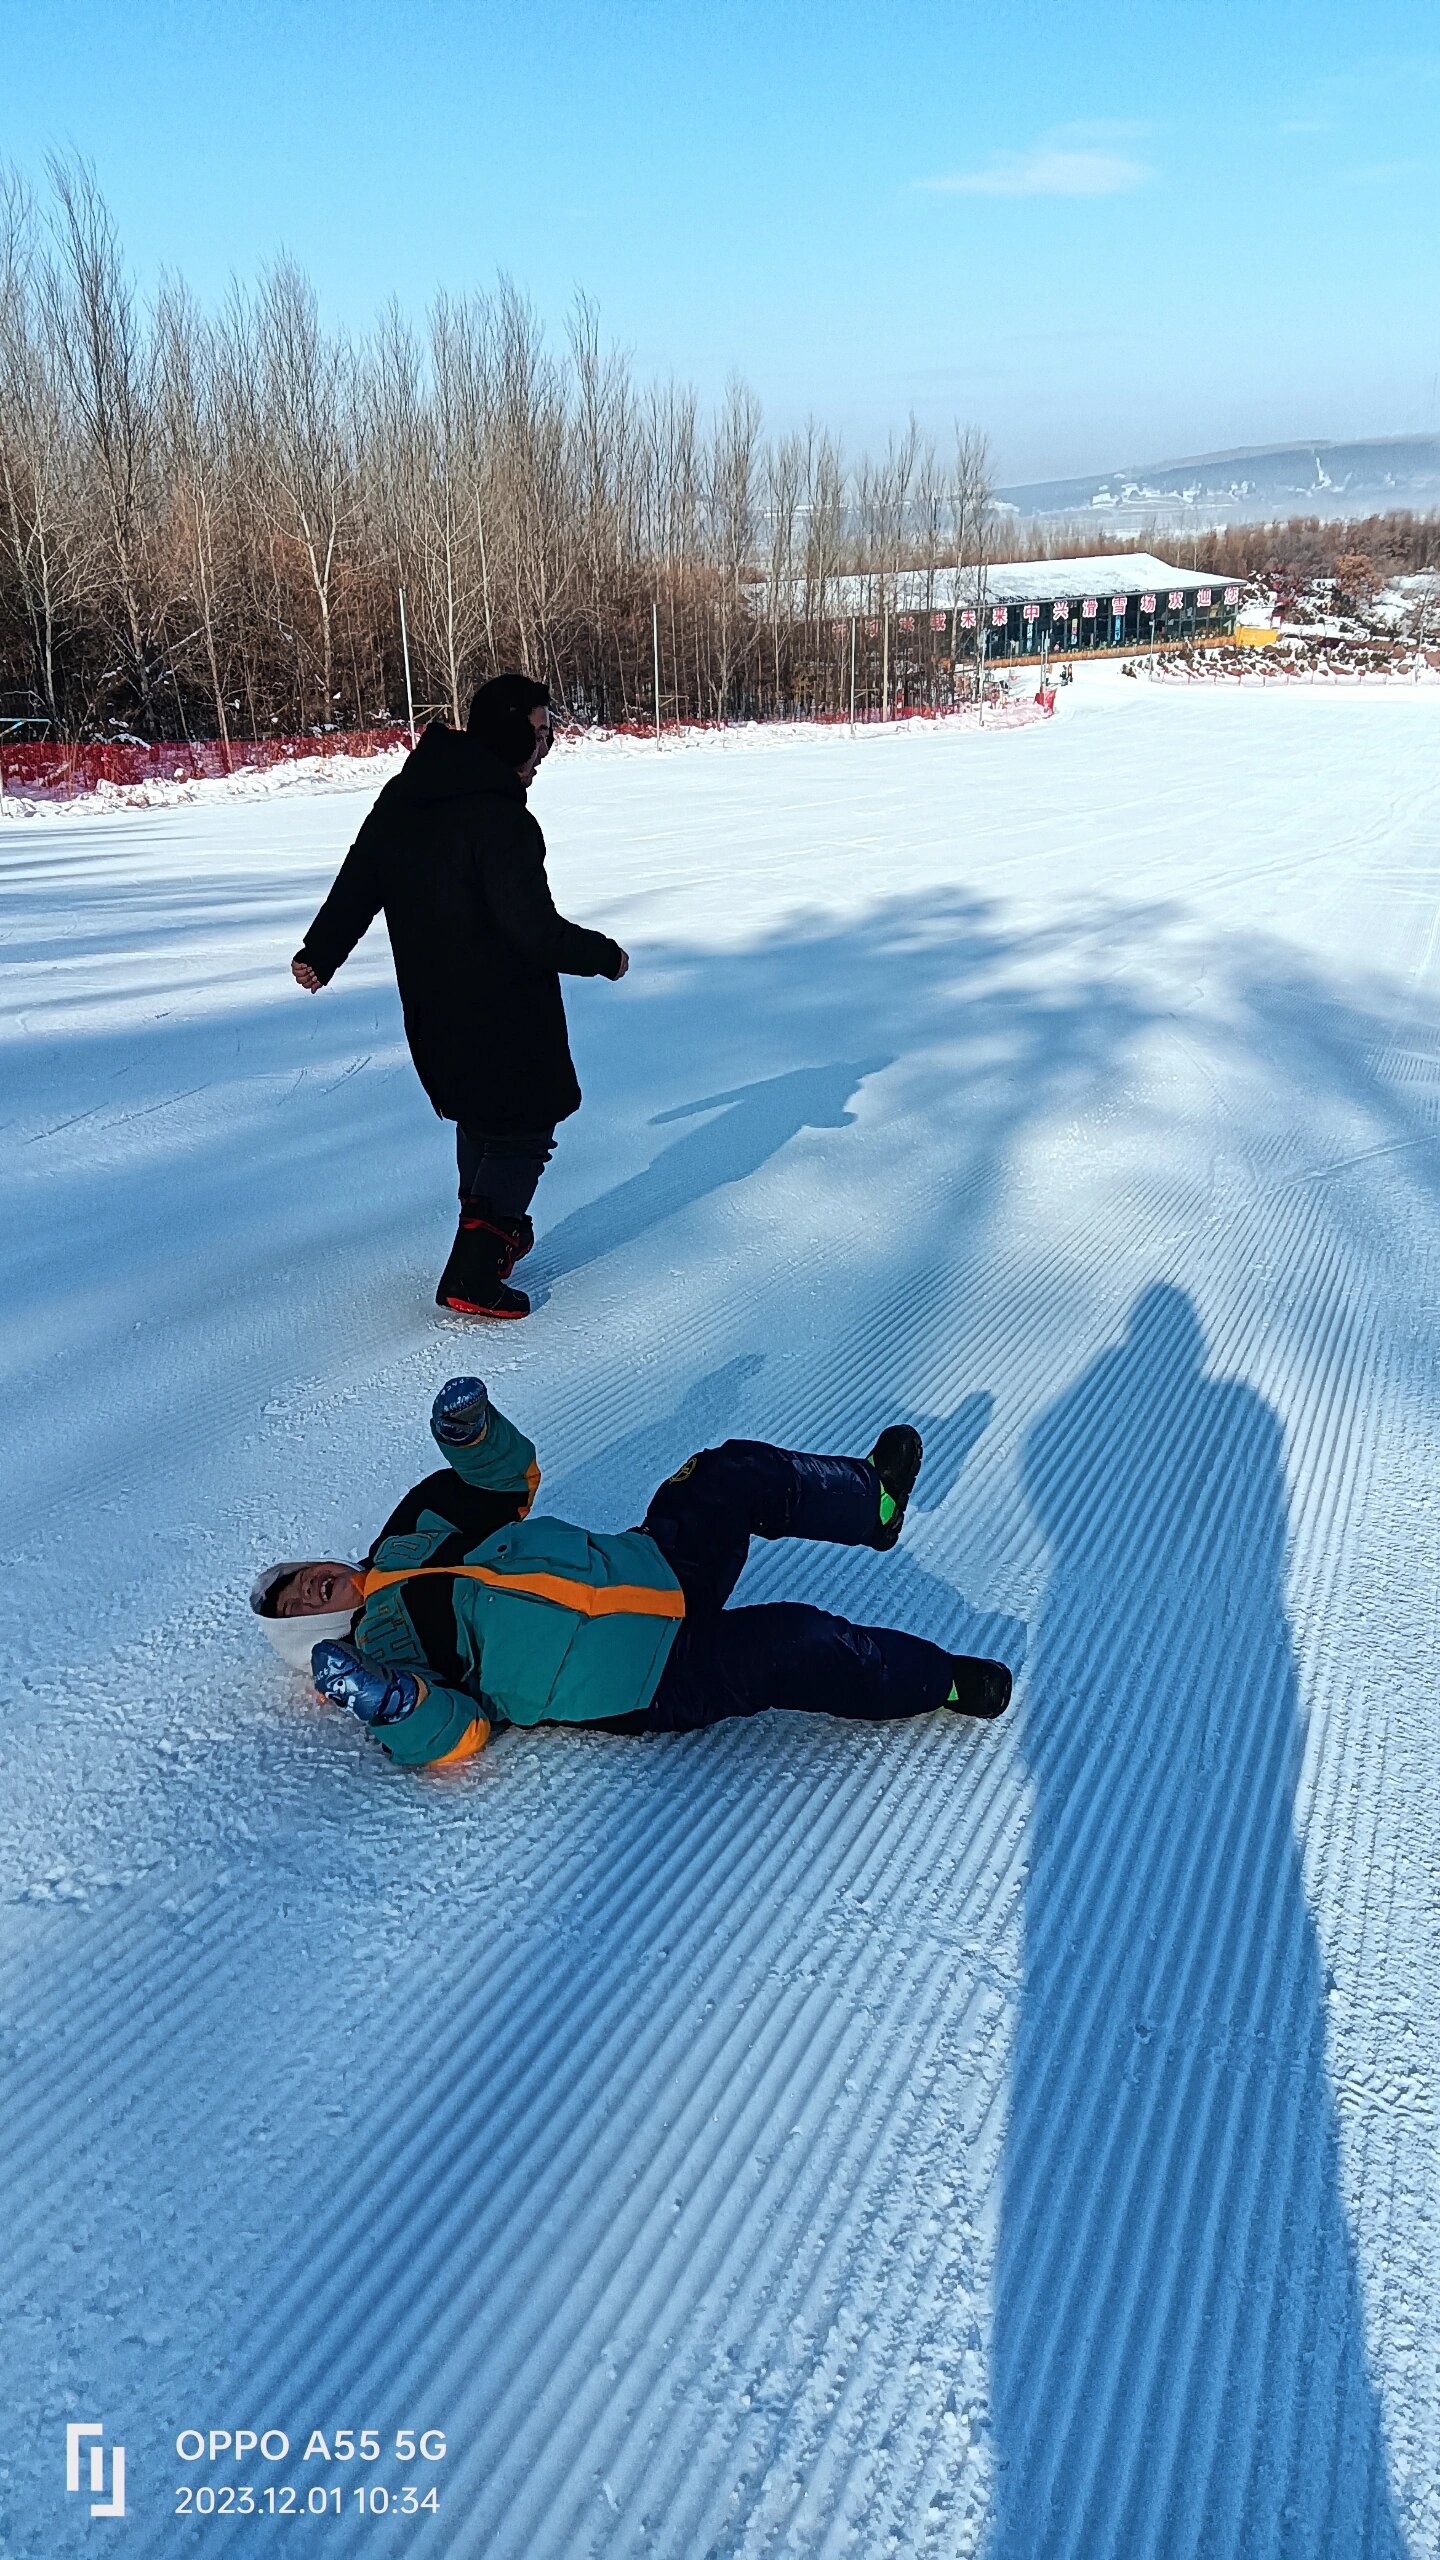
{"x": 783, "y": 1655}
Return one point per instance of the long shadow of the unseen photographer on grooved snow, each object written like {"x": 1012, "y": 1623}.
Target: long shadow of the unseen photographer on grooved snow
{"x": 1180, "y": 2349}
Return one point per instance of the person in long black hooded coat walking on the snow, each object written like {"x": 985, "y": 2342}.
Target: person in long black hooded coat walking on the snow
{"x": 460, "y": 869}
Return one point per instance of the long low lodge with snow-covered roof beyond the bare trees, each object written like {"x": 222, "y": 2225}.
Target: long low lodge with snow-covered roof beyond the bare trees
{"x": 1036, "y": 608}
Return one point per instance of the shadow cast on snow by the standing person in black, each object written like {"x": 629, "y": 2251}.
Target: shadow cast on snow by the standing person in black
{"x": 755, "y": 1125}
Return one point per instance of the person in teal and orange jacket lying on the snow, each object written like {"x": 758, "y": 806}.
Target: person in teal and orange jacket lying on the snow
{"x": 450, "y": 1635}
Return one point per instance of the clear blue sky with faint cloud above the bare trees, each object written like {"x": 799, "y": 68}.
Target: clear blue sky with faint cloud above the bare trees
{"x": 1100, "y": 232}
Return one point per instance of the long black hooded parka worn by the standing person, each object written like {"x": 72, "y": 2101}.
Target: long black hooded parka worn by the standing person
{"x": 460, "y": 869}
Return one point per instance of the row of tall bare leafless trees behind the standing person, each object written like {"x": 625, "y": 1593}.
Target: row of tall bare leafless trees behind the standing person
{"x": 206, "y": 521}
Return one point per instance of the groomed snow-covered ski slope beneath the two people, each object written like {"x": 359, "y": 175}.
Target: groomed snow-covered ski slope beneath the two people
{"x": 793, "y": 2139}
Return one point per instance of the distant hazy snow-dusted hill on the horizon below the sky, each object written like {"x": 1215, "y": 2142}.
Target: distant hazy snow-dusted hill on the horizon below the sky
{"x": 1385, "y": 472}
